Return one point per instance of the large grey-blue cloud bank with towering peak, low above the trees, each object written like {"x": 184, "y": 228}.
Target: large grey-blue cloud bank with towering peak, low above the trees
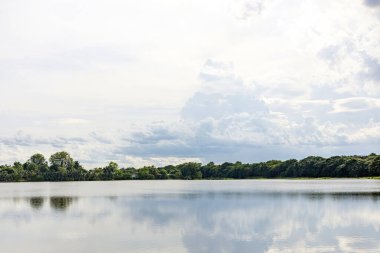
{"x": 227, "y": 121}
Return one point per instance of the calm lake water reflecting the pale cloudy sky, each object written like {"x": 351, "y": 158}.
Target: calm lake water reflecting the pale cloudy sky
{"x": 191, "y": 216}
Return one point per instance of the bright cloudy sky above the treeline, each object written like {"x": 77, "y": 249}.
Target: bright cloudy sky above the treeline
{"x": 157, "y": 82}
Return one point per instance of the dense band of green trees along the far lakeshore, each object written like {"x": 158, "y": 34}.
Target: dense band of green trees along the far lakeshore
{"x": 61, "y": 167}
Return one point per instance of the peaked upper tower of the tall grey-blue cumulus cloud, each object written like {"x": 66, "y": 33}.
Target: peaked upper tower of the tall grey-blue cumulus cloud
{"x": 221, "y": 94}
